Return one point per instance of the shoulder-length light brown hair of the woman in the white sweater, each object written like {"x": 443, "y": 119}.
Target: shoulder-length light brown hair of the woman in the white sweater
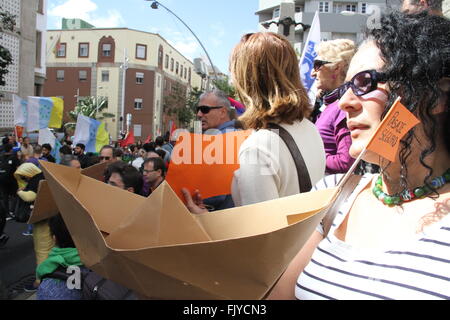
{"x": 265, "y": 72}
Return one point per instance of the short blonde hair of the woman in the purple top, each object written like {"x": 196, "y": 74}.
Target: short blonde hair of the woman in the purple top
{"x": 338, "y": 51}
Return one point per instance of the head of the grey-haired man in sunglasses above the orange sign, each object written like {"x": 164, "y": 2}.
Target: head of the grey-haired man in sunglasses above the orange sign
{"x": 215, "y": 112}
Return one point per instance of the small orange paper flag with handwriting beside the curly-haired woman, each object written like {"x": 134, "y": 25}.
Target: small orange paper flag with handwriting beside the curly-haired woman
{"x": 392, "y": 129}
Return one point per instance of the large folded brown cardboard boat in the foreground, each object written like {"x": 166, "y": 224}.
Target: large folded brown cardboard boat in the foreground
{"x": 157, "y": 248}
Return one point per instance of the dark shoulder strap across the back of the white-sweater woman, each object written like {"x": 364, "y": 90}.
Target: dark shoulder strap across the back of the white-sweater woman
{"x": 304, "y": 180}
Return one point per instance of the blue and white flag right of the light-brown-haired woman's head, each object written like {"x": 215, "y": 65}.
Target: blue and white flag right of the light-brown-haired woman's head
{"x": 308, "y": 56}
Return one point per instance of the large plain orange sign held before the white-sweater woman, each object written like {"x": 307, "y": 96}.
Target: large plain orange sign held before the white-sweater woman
{"x": 205, "y": 162}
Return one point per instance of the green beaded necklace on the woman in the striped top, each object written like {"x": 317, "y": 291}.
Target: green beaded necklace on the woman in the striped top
{"x": 408, "y": 195}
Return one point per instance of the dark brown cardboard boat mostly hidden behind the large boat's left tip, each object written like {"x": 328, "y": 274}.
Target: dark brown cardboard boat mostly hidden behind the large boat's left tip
{"x": 45, "y": 206}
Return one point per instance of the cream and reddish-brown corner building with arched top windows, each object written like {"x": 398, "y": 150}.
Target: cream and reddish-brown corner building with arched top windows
{"x": 136, "y": 71}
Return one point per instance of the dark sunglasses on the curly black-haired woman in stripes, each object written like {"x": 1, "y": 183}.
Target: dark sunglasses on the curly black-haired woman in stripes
{"x": 363, "y": 83}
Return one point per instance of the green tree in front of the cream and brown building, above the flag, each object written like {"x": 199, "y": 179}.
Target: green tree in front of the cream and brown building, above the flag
{"x": 90, "y": 107}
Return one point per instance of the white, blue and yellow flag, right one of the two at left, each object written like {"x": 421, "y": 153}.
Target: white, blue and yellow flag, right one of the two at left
{"x": 91, "y": 133}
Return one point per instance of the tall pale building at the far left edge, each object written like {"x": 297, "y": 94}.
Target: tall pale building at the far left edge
{"x": 27, "y": 46}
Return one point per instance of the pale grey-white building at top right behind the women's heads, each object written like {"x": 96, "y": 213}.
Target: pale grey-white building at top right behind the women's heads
{"x": 338, "y": 19}
